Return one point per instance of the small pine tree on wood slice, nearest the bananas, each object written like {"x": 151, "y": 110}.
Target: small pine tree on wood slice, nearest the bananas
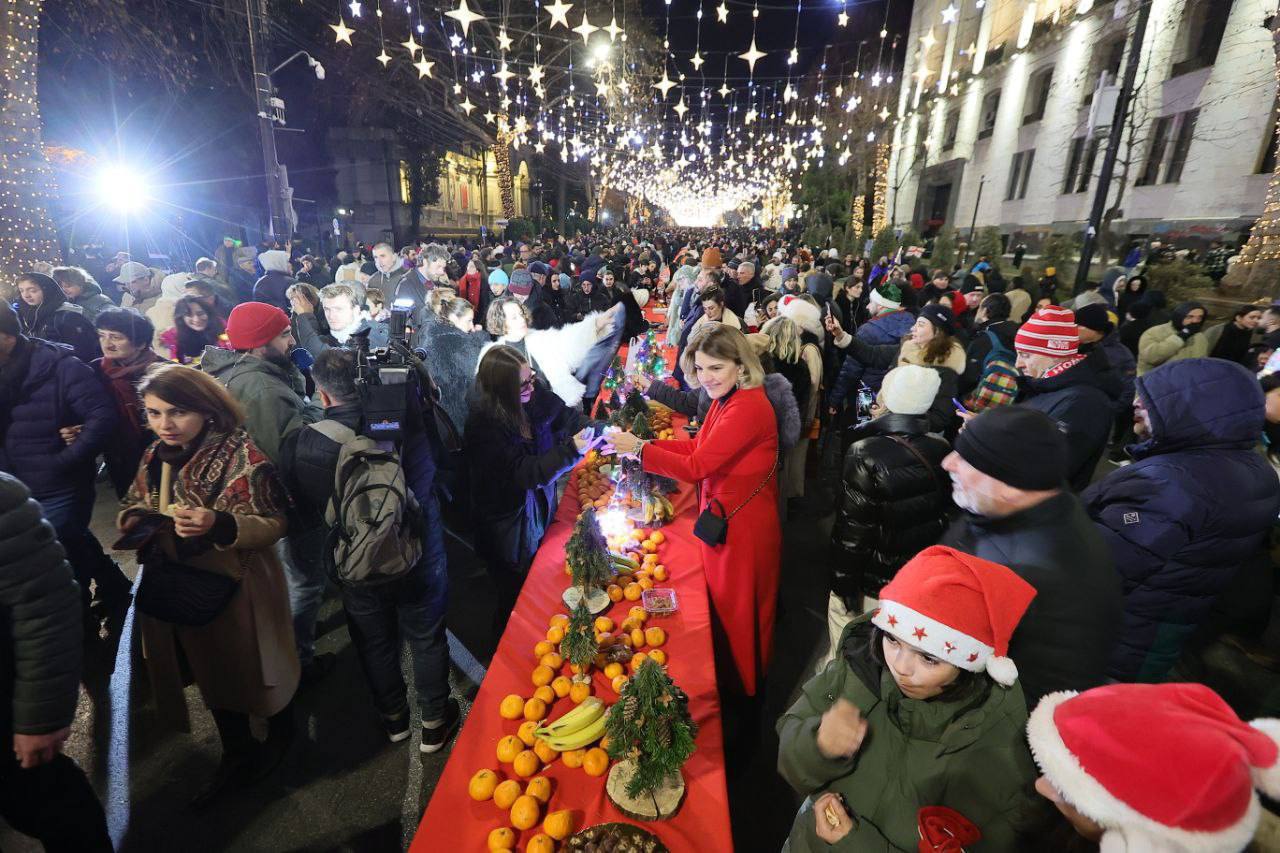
{"x": 651, "y": 726}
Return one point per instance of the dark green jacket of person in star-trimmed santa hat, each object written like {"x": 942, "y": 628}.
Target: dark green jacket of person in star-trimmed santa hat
{"x": 968, "y": 755}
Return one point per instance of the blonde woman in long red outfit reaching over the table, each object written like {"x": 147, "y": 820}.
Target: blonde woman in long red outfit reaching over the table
{"x": 734, "y": 462}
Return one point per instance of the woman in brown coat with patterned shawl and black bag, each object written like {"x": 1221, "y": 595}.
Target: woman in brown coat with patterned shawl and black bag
{"x": 204, "y": 512}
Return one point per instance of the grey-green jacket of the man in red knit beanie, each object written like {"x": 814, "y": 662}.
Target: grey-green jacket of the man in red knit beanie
{"x": 273, "y": 398}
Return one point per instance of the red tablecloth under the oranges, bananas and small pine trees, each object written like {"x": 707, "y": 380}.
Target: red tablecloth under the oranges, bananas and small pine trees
{"x": 454, "y": 822}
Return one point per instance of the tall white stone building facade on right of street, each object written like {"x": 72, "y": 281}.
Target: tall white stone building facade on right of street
{"x": 1007, "y": 107}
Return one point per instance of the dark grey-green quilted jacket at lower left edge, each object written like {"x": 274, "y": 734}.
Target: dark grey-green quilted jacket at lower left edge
{"x": 40, "y": 618}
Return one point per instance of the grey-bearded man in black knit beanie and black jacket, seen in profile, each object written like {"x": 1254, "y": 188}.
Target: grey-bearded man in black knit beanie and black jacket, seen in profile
{"x": 1009, "y": 477}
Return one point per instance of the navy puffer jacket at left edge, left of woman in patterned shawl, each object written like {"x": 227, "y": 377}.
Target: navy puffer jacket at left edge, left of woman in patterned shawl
{"x": 52, "y": 389}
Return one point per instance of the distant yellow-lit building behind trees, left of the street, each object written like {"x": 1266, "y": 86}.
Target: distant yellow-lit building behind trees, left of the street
{"x": 373, "y": 183}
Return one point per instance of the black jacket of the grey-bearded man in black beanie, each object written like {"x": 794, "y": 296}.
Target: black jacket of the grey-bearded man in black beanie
{"x": 1066, "y": 640}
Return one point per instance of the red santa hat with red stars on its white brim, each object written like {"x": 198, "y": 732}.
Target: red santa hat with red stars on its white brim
{"x": 958, "y": 609}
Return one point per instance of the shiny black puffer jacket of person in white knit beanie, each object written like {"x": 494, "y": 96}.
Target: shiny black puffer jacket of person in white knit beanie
{"x": 892, "y": 504}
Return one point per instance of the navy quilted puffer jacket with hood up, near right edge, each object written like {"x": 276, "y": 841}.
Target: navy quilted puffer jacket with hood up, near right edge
{"x": 1195, "y": 507}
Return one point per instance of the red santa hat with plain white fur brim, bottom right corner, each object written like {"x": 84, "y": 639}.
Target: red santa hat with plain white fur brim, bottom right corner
{"x": 1159, "y": 767}
